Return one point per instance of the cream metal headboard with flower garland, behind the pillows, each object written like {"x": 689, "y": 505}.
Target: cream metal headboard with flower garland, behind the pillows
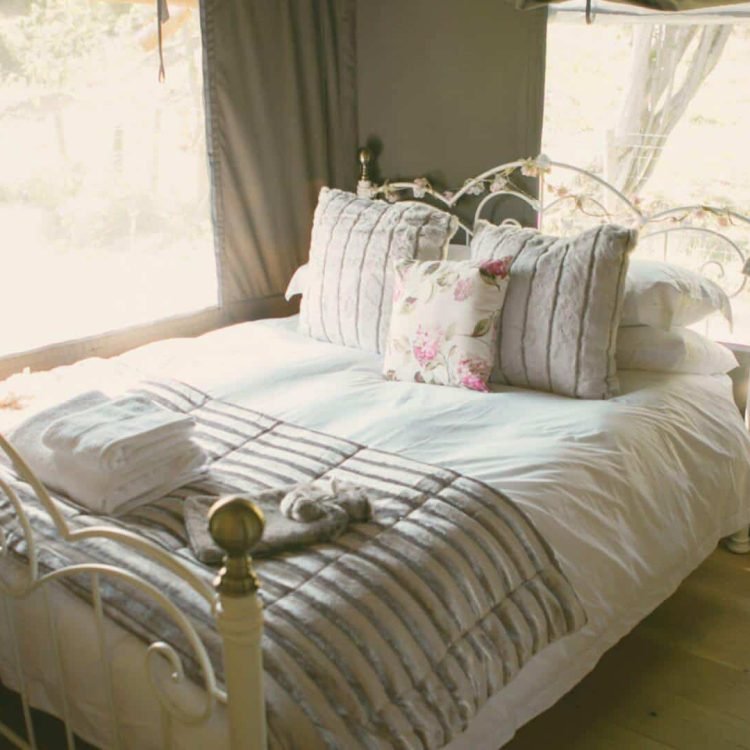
{"x": 710, "y": 239}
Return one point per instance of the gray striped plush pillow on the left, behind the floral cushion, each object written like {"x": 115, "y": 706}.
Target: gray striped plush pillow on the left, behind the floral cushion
{"x": 355, "y": 243}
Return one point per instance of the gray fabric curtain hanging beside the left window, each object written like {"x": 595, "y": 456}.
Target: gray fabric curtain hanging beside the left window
{"x": 280, "y": 88}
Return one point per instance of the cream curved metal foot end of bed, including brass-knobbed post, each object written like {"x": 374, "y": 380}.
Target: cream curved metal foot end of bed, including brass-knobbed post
{"x": 236, "y": 525}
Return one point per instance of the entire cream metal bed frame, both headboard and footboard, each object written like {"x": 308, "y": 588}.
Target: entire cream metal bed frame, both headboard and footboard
{"x": 237, "y": 524}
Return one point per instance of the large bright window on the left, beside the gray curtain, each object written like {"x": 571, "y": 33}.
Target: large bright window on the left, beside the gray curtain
{"x": 104, "y": 190}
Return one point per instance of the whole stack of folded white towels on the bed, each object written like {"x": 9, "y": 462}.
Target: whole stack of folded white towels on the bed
{"x": 111, "y": 455}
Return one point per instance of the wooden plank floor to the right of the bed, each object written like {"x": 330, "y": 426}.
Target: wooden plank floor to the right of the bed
{"x": 680, "y": 680}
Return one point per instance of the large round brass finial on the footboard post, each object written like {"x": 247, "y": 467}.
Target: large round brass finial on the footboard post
{"x": 236, "y": 525}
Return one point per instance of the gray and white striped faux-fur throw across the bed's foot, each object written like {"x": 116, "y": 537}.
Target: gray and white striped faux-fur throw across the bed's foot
{"x": 395, "y": 635}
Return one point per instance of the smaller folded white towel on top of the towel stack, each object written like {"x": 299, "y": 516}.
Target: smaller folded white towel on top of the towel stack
{"x": 110, "y": 435}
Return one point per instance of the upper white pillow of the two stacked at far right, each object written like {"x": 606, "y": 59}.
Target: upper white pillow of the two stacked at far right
{"x": 664, "y": 295}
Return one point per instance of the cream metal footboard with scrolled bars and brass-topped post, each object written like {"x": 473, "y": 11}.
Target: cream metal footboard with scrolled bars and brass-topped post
{"x": 183, "y": 704}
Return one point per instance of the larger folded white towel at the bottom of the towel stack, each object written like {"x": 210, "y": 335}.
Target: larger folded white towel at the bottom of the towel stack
{"x": 114, "y": 492}
